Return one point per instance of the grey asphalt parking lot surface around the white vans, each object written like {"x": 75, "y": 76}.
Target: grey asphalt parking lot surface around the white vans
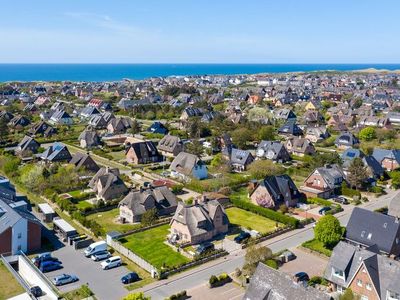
{"x": 106, "y": 284}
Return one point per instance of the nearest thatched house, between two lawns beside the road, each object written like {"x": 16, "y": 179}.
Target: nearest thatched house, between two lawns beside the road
{"x": 197, "y": 223}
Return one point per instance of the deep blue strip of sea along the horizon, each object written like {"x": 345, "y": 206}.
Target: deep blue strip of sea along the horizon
{"x": 114, "y": 72}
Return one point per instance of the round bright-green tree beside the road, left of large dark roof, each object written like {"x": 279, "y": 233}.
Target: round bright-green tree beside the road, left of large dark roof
{"x": 328, "y": 231}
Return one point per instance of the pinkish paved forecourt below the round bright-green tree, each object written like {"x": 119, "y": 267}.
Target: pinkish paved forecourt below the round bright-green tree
{"x": 312, "y": 264}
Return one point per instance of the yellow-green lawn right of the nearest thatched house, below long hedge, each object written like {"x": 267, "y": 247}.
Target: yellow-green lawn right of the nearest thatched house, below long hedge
{"x": 246, "y": 219}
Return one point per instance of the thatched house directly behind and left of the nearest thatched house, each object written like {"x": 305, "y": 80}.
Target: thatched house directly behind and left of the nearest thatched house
{"x": 136, "y": 203}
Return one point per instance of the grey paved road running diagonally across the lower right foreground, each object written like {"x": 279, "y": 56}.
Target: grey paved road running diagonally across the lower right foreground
{"x": 198, "y": 276}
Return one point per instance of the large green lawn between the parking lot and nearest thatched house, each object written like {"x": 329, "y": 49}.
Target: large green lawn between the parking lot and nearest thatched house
{"x": 149, "y": 244}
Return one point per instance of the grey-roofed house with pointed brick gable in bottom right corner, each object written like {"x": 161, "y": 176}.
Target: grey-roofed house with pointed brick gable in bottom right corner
{"x": 368, "y": 274}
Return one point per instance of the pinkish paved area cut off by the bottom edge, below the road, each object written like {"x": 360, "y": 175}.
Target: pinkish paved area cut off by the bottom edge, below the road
{"x": 229, "y": 291}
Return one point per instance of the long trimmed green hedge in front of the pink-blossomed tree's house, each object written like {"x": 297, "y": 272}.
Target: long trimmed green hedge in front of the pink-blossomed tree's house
{"x": 266, "y": 212}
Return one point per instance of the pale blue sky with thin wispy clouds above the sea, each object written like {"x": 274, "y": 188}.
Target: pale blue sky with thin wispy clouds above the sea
{"x": 206, "y": 31}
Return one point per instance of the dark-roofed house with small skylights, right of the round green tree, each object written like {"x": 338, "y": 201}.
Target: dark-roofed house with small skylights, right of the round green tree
{"x": 368, "y": 228}
